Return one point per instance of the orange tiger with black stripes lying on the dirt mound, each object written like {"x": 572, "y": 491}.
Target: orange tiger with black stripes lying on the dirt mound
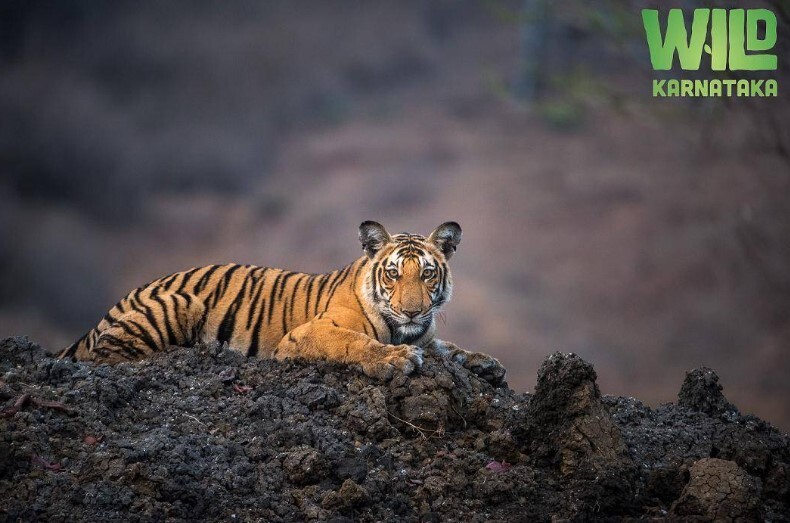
{"x": 378, "y": 312}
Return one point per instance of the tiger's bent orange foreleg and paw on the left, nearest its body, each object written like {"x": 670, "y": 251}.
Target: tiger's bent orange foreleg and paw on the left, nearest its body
{"x": 321, "y": 339}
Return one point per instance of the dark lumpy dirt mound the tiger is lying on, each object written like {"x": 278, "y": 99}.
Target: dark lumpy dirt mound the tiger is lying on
{"x": 206, "y": 433}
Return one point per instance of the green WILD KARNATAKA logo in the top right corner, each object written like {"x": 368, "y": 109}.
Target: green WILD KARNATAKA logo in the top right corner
{"x": 735, "y": 39}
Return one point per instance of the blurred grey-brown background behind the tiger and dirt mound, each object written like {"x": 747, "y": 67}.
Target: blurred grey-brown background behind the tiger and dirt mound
{"x": 648, "y": 235}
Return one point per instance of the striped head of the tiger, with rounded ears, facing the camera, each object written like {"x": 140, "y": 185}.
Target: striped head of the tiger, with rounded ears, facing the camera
{"x": 409, "y": 280}
